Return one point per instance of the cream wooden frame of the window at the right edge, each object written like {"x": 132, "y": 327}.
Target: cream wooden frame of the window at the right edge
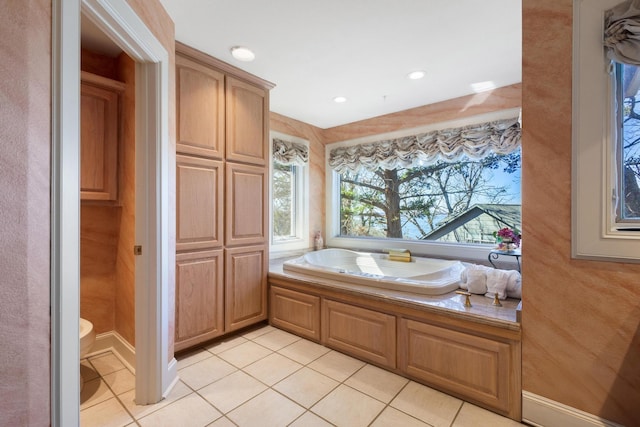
{"x": 595, "y": 236}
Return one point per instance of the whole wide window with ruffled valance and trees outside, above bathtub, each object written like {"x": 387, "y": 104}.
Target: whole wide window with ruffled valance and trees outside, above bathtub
{"x": 416, "y": 197}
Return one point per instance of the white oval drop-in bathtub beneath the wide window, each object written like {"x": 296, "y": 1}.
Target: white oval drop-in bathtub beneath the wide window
{"x": 422, "y": 275}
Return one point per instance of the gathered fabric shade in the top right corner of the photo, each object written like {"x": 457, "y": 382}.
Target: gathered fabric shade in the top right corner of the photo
{"x": 622, "y": 32}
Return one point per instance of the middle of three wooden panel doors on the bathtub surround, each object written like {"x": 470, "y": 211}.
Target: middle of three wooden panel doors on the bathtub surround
{"x": 367, "y": 334}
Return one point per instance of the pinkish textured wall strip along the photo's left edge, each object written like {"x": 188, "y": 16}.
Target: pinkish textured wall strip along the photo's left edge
{"x": 25, "y": 41}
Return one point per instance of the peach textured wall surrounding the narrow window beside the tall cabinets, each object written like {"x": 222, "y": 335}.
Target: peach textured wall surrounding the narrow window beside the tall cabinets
{"x": 316, "y": 194}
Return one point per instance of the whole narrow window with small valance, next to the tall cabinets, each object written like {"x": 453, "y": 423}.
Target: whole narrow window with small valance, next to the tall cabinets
{"x": 289, "y": 184}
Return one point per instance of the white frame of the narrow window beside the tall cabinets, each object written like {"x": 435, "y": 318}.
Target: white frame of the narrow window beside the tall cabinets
{"x": 301, "y": 203}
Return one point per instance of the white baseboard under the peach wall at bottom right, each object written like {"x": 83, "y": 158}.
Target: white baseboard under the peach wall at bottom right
{"x": 542, "y": 412}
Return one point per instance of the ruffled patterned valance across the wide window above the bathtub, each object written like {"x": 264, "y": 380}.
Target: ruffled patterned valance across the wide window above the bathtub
{"x": 474, "y": 141}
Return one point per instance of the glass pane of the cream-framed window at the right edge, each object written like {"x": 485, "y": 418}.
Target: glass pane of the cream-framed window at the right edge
{"x": 628, "y": 146}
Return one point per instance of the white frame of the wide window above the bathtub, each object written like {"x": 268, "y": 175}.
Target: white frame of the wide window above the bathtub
{"x": 466, "y": 251}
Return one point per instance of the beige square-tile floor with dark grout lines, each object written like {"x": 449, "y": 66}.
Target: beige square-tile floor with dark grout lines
{"x": 268, "y": 377}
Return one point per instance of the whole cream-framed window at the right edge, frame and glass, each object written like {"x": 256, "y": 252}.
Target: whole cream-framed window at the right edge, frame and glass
{"x": 604, "y": 226}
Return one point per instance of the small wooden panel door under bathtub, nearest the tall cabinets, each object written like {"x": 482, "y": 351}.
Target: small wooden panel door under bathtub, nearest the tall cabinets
{"x": 295, "y": 311}
